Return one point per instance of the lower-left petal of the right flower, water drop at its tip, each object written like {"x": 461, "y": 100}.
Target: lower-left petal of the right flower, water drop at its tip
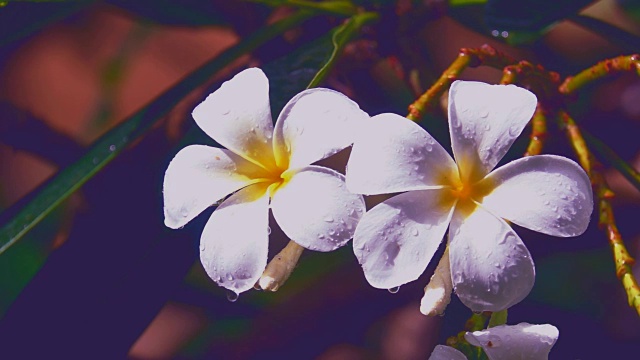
{"x": 395, "y": 240}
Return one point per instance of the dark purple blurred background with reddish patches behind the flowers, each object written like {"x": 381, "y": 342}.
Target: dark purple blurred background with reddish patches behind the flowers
{"x": 101, "y": 277}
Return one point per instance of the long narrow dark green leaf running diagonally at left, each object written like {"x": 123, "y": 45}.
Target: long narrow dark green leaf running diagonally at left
{"x": 111, "y": 144}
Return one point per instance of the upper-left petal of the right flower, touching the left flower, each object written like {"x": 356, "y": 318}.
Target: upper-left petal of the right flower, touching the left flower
{"x": 394, "y": 154}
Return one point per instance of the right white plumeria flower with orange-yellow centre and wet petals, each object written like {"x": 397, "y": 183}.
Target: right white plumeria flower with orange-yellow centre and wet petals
{"x": 491, "y": 268}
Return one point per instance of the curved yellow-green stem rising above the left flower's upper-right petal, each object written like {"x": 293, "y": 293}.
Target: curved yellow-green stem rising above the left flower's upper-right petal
{"x": 341, "y": 36}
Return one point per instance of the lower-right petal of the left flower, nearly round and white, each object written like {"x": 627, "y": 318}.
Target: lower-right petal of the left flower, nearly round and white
{"x": 315, "y": 209}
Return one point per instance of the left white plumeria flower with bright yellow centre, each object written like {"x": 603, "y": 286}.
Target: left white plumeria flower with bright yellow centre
{"x": 264, "y": 168}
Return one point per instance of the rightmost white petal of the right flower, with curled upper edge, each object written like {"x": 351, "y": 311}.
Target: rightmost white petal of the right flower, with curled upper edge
{"x": 546, "y": 193}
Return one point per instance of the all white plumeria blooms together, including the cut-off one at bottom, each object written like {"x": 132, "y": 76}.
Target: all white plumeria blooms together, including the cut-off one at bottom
{"x": 272, "y": 167}
